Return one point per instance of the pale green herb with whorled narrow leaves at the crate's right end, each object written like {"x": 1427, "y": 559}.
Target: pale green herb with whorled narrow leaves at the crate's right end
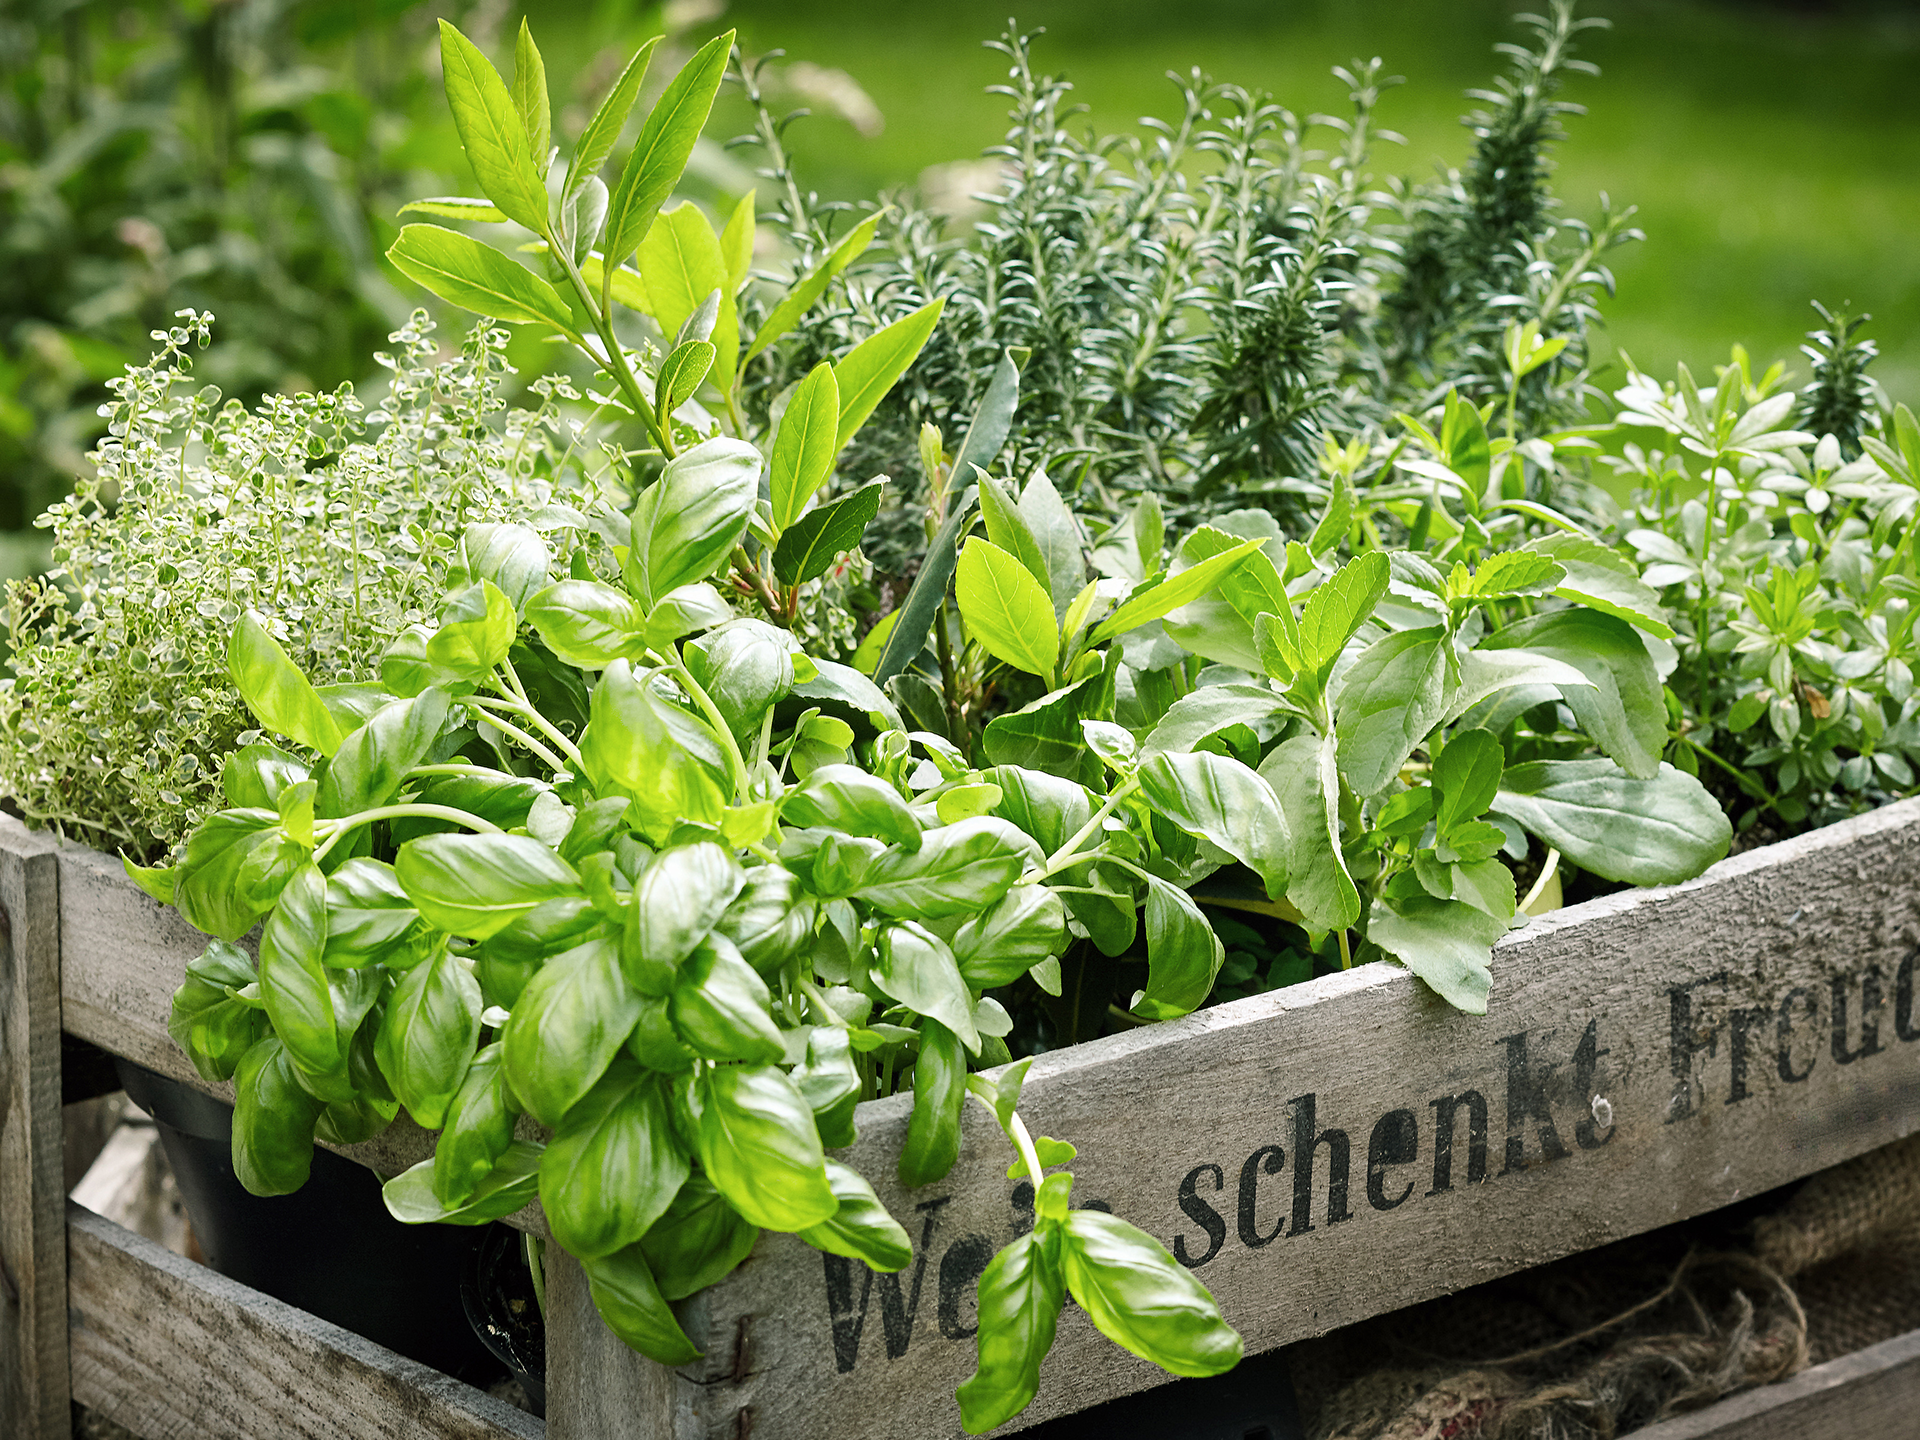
{"x": 1783, "y": 533}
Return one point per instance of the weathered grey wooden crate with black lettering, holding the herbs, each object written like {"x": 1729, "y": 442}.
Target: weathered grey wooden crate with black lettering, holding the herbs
{"x": 1322, "y": 1155}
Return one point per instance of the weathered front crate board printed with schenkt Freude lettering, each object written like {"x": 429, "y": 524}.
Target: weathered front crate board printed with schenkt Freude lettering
{"x": 1648, "y": 1057}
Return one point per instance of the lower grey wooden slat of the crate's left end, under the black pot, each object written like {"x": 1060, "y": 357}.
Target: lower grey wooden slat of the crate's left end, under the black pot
{"x": 176, "y": 1353}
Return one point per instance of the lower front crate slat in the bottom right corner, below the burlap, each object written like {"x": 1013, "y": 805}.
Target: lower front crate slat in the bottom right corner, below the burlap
{"x": 1873, "y": 1393}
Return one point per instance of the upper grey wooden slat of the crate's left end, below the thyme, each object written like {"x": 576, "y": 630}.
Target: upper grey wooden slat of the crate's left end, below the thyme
{"x": 124, "y": 959}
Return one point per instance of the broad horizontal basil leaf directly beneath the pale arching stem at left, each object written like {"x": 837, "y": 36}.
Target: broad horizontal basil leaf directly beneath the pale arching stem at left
{"x": 479, "y": 884}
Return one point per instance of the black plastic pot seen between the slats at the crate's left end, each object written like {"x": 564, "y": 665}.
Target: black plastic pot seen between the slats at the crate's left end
{"x": 329, "y": 1249}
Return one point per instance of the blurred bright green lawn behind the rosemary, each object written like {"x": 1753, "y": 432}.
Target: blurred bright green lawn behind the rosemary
{"x": 1773, "y": 155}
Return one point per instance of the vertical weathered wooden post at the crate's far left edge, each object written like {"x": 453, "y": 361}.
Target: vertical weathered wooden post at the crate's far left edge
{"x": 34, "y": 1255}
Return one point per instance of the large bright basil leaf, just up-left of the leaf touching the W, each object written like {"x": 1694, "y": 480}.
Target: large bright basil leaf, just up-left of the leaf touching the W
{"x": 757, "y": 1143}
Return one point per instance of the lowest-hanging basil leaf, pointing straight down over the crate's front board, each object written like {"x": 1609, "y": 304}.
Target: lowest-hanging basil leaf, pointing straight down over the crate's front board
{"x": 1020, "y": 1297}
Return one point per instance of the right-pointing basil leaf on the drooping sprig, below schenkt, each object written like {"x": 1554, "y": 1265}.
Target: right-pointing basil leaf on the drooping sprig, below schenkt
{"x": 1141, "y": 1299}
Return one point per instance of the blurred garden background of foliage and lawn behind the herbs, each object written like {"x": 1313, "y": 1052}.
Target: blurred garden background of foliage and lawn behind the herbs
{"x": 249, "y": 158}
